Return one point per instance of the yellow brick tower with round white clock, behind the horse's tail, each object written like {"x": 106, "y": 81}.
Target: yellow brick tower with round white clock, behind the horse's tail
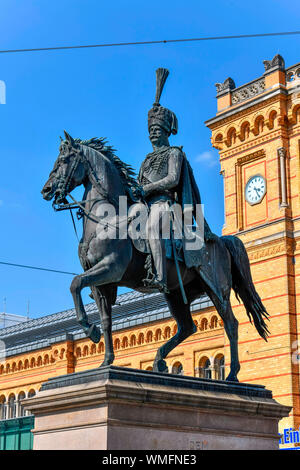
{"x": 257, "y": 132}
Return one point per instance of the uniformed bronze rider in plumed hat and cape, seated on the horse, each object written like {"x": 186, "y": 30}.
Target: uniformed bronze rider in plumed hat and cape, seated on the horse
{"x": 166, "y": 178}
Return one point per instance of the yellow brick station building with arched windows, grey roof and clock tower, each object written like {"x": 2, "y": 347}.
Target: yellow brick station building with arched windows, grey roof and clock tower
{"x": 257, "y": 132}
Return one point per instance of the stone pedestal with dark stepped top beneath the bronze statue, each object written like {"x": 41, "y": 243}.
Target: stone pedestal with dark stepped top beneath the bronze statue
{"x": 116, "y": 408}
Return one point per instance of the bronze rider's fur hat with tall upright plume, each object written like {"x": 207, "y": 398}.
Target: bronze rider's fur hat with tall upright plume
{"x": 158, "y": 115}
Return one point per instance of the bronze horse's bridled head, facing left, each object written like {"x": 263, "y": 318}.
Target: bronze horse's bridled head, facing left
{"x": 68, "y": 171}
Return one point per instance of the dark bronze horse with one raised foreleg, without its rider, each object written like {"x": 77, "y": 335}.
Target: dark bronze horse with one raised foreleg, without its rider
{"x": 112, "y": 262}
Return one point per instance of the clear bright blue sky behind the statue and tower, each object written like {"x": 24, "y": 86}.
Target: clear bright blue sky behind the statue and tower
{"x": 107, "y": 92}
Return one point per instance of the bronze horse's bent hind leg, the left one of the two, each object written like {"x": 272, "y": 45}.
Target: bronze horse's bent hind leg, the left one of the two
{"x": 185, "y": 327}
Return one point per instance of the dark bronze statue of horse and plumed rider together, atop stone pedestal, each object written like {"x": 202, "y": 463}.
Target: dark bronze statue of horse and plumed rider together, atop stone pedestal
{"x": 149, "y": 261}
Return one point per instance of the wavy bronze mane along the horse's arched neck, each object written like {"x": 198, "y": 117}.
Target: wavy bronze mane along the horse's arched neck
{"x": 127, "y": 174}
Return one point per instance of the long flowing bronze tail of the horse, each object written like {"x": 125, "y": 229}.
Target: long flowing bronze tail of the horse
{"x": 243, "y": 286}
